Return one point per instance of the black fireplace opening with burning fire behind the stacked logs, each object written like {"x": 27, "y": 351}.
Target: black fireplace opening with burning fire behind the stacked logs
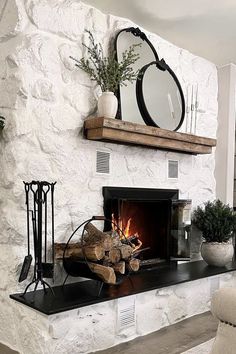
{"x": 156, "y": 219}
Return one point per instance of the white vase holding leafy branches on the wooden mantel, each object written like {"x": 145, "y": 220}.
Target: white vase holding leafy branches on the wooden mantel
{"x": 107, "y": 105}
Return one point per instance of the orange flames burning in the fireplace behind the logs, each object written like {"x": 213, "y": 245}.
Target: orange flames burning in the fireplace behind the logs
{"x": 126, "y": 232}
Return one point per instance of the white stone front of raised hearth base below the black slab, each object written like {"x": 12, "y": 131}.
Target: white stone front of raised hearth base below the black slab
{"x": 94, "y": 327}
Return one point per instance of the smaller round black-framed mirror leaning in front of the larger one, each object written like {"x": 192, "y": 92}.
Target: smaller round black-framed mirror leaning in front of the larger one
{"x": 163, "y": 107}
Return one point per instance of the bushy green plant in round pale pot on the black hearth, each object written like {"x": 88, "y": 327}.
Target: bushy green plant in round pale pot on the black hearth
{"x": 217, "y": 222}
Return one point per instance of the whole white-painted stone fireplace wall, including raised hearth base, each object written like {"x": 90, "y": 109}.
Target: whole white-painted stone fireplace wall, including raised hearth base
{"x": 45, "y": 100}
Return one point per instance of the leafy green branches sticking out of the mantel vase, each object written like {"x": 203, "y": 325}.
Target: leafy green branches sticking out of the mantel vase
{"x": 107, "y": 71}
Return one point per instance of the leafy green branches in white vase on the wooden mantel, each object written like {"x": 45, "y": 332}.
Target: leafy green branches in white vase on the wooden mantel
{"x": 108, "y": 73}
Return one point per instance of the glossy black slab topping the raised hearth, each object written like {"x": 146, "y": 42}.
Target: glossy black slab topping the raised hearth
{"x": 84, "y": 293}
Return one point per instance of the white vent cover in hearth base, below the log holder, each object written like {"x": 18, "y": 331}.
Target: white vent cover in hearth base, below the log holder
{"x": 126, "y": 315}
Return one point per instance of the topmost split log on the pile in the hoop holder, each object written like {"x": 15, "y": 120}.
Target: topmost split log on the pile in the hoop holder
{"x": 95, "y": 236}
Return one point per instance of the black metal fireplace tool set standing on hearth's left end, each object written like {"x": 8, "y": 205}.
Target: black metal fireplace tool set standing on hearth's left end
{"x": 40, "y": 220}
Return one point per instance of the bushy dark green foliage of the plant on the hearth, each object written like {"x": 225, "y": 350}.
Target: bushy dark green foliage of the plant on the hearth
{"x": 216, "y": 221}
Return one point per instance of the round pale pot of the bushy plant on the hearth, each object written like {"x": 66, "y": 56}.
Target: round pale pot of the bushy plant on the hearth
{"x": 216, "y": 253}
